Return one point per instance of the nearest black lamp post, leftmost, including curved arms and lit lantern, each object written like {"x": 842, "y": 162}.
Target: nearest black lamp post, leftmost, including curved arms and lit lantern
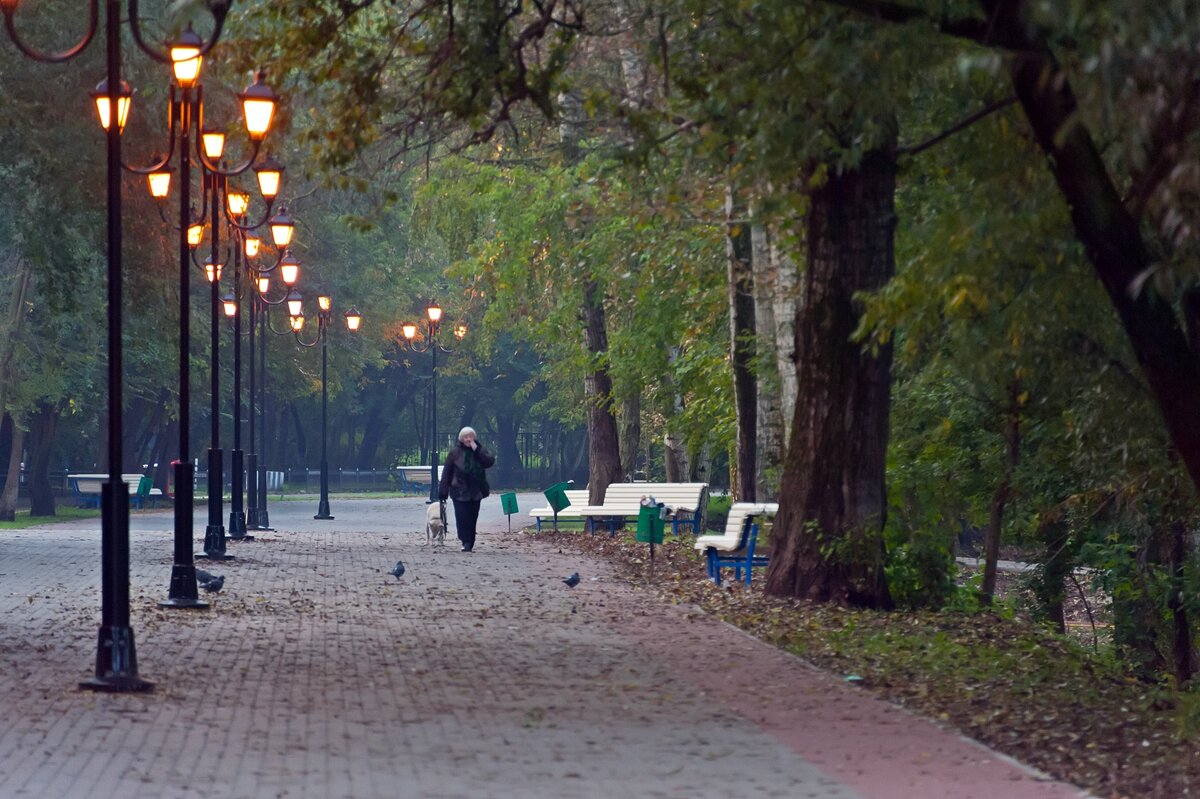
{"x": 117, "y": 669}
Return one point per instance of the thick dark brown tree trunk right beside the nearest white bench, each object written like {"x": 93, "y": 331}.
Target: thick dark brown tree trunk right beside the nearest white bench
{"x": 827, "y": 543}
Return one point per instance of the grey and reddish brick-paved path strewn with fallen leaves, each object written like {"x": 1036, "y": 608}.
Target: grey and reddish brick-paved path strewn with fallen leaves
{"x": 319, "y": 675}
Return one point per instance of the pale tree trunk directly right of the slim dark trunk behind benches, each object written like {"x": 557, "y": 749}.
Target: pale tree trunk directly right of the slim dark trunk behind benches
{"x": 770, "y": 434}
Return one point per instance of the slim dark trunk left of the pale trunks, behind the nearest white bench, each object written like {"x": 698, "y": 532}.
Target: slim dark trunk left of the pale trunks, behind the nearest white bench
{"x": 740, "y": 280}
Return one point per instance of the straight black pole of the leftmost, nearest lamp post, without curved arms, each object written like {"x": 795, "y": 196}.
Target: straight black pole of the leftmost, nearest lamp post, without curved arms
{"x": 117, "y": 663}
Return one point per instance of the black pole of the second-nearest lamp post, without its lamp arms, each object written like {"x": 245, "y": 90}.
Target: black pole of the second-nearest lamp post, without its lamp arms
{"x": 183, "y": 592}
